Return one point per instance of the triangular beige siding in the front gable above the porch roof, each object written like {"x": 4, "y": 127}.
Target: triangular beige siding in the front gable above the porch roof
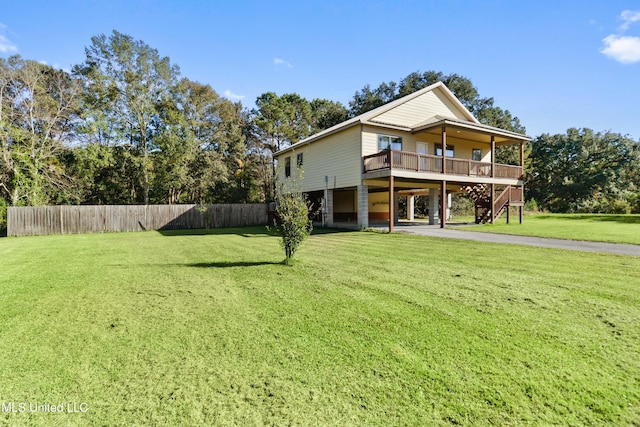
{"x": 420, "y": 109}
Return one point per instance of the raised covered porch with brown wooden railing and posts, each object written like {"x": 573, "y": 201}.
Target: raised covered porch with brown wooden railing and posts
{"x": 447, "y": 156}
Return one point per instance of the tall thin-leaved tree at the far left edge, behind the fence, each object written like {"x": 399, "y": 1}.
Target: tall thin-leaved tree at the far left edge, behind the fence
{"x": 38, "y": 105}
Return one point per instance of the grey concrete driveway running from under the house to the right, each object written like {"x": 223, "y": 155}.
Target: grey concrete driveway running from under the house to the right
{"x": 575, "y": 245}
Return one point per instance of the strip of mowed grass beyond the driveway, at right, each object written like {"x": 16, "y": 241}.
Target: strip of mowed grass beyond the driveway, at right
{"x": 594, "y": 227}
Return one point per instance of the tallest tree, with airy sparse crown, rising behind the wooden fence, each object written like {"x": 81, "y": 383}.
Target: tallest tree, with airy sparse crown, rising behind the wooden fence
{"x": 126, "y": 80}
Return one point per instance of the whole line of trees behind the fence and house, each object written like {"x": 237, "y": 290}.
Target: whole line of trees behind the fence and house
{"x": 124, "y": 127}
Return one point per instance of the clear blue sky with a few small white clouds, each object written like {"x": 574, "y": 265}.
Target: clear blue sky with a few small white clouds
{"x": 554, "y": 64}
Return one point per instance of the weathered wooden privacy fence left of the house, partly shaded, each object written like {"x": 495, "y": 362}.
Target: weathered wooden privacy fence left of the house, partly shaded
{"x": 40, "y": 220}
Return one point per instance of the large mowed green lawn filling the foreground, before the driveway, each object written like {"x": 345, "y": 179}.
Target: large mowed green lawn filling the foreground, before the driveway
{"x": 365, "y": 329}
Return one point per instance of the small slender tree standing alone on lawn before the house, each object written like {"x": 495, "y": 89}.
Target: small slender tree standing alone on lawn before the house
{"x": 292, "y": 209}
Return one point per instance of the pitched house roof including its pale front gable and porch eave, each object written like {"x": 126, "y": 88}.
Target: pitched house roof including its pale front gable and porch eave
{"x": 408, "y": 114}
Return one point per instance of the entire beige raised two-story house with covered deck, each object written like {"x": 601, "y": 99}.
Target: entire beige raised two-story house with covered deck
{"x": 426, "y": 143}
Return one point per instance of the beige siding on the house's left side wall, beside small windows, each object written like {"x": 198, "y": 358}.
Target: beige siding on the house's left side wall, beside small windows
{"x": 336, "y": 156}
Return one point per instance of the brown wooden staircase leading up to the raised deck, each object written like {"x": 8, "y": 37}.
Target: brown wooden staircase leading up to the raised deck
{"x": 481, "y": 194}
